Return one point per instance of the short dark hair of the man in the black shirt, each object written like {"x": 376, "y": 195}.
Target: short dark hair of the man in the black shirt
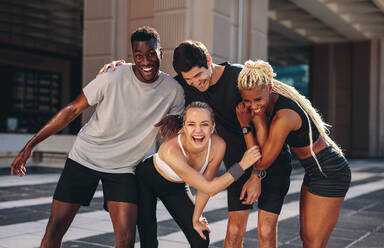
{"x": 189, "y": 54}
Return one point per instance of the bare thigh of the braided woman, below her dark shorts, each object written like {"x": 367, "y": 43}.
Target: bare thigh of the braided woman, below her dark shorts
{"x": 318, "y": 217}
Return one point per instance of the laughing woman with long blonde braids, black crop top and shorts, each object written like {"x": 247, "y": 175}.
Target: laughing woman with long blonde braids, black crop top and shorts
{"x": 281, "y": 115}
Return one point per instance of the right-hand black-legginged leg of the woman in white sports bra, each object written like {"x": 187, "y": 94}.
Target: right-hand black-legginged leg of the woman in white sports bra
{"x": 181, "y": 206}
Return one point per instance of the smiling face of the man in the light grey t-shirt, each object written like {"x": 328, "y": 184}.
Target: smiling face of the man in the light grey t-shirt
{"x": 147, "y": 56}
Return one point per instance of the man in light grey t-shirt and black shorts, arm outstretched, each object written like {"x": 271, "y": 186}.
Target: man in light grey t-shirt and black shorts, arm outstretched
{"x": 120, "y": 132}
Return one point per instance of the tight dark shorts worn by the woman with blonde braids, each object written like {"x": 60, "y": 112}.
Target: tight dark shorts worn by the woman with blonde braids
{"x": 337, "y": 175}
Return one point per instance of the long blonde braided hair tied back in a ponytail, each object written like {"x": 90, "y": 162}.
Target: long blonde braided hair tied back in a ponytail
{"x": 259, "y": 73}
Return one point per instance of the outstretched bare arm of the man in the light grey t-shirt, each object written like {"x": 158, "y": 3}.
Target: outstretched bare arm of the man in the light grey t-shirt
{"x": 54, "y": 125}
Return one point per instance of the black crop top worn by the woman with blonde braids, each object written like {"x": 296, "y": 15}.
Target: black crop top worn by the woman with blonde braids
{"x": 300, "y": 137}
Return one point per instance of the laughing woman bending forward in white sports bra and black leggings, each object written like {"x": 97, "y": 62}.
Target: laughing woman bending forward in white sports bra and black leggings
{"x": 192, "y": 157}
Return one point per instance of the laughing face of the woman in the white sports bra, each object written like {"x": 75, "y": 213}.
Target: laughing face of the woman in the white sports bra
{"x": 198, "y": 126}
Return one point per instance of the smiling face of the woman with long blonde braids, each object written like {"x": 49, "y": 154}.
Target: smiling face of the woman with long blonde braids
{"x": 257, "y": 99}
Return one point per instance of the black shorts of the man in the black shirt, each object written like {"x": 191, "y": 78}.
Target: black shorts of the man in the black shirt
{"x": 274, "y": 186}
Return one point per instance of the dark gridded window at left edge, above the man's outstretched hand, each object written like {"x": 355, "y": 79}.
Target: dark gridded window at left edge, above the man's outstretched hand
{"x": 30, "y": 99}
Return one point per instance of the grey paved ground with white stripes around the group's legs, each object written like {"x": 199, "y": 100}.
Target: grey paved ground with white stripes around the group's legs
{"x": 25, "y": 204}
